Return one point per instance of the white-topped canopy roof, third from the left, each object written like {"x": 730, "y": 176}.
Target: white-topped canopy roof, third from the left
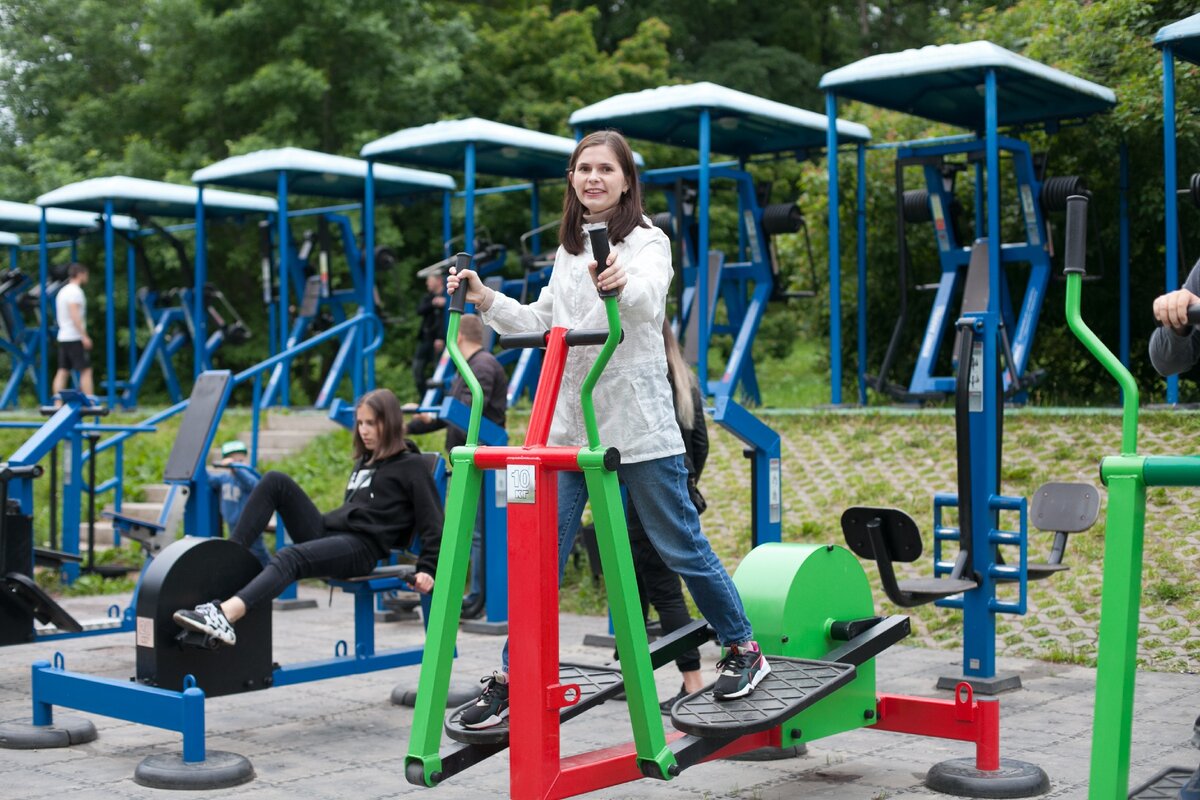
{"x": 317, "y": 173}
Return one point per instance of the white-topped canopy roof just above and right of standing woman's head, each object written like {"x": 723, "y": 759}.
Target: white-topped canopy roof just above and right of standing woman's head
{"x": 664, "y": 115}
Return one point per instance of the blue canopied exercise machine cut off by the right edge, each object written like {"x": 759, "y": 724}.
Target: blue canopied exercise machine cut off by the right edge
{"x": 1178, "y": 41}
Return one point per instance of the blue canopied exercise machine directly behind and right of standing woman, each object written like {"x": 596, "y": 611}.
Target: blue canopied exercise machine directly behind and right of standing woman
{"x": 715, "y": 119}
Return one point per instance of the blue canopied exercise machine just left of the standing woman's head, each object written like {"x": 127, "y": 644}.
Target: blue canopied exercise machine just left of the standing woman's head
{"x": 476, "y": 148}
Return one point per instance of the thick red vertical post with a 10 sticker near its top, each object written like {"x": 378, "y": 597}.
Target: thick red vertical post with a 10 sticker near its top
{"x": 533, "y": 628}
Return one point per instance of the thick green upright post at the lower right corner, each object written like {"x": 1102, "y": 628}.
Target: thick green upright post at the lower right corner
{"x": 1118, "y": 661}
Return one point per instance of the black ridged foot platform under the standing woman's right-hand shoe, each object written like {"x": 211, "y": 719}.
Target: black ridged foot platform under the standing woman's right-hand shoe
{"x": 793, "y": 685}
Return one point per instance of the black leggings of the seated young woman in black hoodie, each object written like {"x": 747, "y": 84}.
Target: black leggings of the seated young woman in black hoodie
{"x": 315, "y": 551}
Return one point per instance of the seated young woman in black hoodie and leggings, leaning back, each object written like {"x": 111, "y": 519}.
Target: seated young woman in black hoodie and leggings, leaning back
{"x": 391, "y": 498}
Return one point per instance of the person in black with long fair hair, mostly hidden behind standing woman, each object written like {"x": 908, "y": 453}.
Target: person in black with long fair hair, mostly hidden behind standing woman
{"x": 657, "y": 585}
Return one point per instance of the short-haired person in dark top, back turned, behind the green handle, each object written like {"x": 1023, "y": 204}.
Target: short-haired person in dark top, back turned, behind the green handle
{"x": 495, "y": 384}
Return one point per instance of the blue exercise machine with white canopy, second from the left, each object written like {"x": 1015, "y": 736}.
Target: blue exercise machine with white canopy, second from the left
{"x": 147, "y": 200}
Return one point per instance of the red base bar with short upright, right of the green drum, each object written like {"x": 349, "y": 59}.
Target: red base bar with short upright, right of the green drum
{"x": 963, "y": 719}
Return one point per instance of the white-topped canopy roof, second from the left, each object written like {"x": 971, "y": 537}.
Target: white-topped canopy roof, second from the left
{"x": 140, "y": 196}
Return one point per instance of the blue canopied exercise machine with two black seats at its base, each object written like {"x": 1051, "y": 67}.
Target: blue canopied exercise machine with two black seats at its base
{"x": 943, "y": 85}
